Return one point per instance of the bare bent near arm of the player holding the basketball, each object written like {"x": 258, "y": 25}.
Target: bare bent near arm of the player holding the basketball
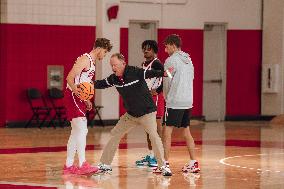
{"x": 81, "y": 64}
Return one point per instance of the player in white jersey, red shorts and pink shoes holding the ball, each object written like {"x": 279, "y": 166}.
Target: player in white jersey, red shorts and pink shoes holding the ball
{"x": 82, "y": 71}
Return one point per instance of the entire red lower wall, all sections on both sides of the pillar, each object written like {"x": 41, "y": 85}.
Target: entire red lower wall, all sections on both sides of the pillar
{"x": 26, "y": 50}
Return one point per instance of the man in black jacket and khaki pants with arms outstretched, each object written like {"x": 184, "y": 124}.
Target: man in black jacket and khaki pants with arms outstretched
{"x": 141, "y": 110}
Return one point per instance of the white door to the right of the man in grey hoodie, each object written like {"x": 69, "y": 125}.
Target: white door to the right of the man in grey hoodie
{"x": 214, "y": 73}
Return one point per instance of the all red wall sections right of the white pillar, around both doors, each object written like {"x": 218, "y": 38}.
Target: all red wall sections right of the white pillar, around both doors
{"x": 243, "y": 59}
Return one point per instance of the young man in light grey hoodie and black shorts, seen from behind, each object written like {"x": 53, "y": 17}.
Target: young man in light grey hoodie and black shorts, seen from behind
{"x": 178, "y": 92}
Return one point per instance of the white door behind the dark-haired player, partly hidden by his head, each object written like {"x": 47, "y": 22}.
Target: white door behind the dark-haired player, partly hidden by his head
{"x": 139, "y": 32}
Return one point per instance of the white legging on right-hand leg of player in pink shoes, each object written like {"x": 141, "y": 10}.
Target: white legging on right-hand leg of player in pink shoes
{"x": 81, "y": 135}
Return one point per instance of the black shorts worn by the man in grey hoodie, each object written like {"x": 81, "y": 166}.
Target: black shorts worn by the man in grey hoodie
{"x": 177, "y": 117}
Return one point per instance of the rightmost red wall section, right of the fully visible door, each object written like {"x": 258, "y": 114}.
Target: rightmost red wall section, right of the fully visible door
{"x": 243, "y": 72}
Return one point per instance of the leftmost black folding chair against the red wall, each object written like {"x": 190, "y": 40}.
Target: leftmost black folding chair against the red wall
{"x": 38, "y": 106}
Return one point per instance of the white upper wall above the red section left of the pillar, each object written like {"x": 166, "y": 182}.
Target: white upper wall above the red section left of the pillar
{"x": 53, "y": 12}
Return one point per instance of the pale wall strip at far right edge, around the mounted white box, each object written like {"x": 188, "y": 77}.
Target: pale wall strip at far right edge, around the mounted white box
{"x": 273, "y": 53}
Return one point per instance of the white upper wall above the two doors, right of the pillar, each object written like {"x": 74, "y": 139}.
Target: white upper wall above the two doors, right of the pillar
{"x": 239, "y": 14}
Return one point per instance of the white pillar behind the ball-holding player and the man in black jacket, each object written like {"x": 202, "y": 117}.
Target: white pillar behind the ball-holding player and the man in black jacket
{"x": 108, "y": 98}
